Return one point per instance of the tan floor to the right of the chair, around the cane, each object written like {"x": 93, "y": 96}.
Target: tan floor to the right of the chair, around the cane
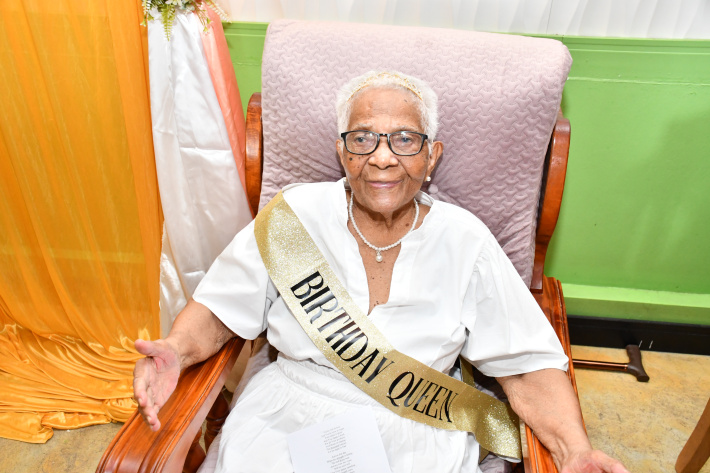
{"x": 645, "y": 425}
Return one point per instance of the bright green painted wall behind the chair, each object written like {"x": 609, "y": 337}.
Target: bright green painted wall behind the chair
{"x": 633, "y": 239}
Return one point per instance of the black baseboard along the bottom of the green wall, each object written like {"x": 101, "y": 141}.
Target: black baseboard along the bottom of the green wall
{"x": 650, "y": 336}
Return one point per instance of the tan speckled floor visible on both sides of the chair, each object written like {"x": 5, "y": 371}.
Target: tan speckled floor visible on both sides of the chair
{"x": 643, "y": 424}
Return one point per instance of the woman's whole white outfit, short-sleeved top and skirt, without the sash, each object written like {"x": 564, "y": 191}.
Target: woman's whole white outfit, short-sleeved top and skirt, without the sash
{"x": 453, "y": 292}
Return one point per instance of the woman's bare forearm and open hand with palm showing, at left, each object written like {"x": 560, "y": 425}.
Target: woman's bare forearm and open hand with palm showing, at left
{"x": 196, "y": 335}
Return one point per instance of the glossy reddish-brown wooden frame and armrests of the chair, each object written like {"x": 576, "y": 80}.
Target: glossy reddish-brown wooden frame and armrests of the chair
{"x": 175, "y": 447}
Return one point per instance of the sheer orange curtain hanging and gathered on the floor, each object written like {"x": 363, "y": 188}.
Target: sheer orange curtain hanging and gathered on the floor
{"x": 79, "y": 213}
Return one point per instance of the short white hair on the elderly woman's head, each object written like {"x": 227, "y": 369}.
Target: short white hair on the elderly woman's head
{"x": 428, "y": 102}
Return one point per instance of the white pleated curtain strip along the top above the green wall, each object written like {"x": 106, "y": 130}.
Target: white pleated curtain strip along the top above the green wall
{"x": 682, "y": 19}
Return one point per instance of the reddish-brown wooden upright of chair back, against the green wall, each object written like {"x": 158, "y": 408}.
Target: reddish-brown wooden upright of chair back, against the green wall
{"x": 553, "y": 183}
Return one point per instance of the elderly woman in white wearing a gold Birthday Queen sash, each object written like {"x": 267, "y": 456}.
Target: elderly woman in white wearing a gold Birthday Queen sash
{"x": 428, "y": 276}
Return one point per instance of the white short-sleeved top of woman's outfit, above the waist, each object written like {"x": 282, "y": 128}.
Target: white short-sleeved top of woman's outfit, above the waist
{"x": 453, "y": 290}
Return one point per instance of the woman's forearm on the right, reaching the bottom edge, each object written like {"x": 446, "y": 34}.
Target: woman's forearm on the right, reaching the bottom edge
{"x": 546, "y": 402}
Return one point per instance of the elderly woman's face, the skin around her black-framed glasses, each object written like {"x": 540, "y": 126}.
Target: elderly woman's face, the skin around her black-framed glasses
{"x": 382, "y": 181}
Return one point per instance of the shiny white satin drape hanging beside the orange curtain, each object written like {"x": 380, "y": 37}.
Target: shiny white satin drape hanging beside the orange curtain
{"x": 203, "y": 200}
